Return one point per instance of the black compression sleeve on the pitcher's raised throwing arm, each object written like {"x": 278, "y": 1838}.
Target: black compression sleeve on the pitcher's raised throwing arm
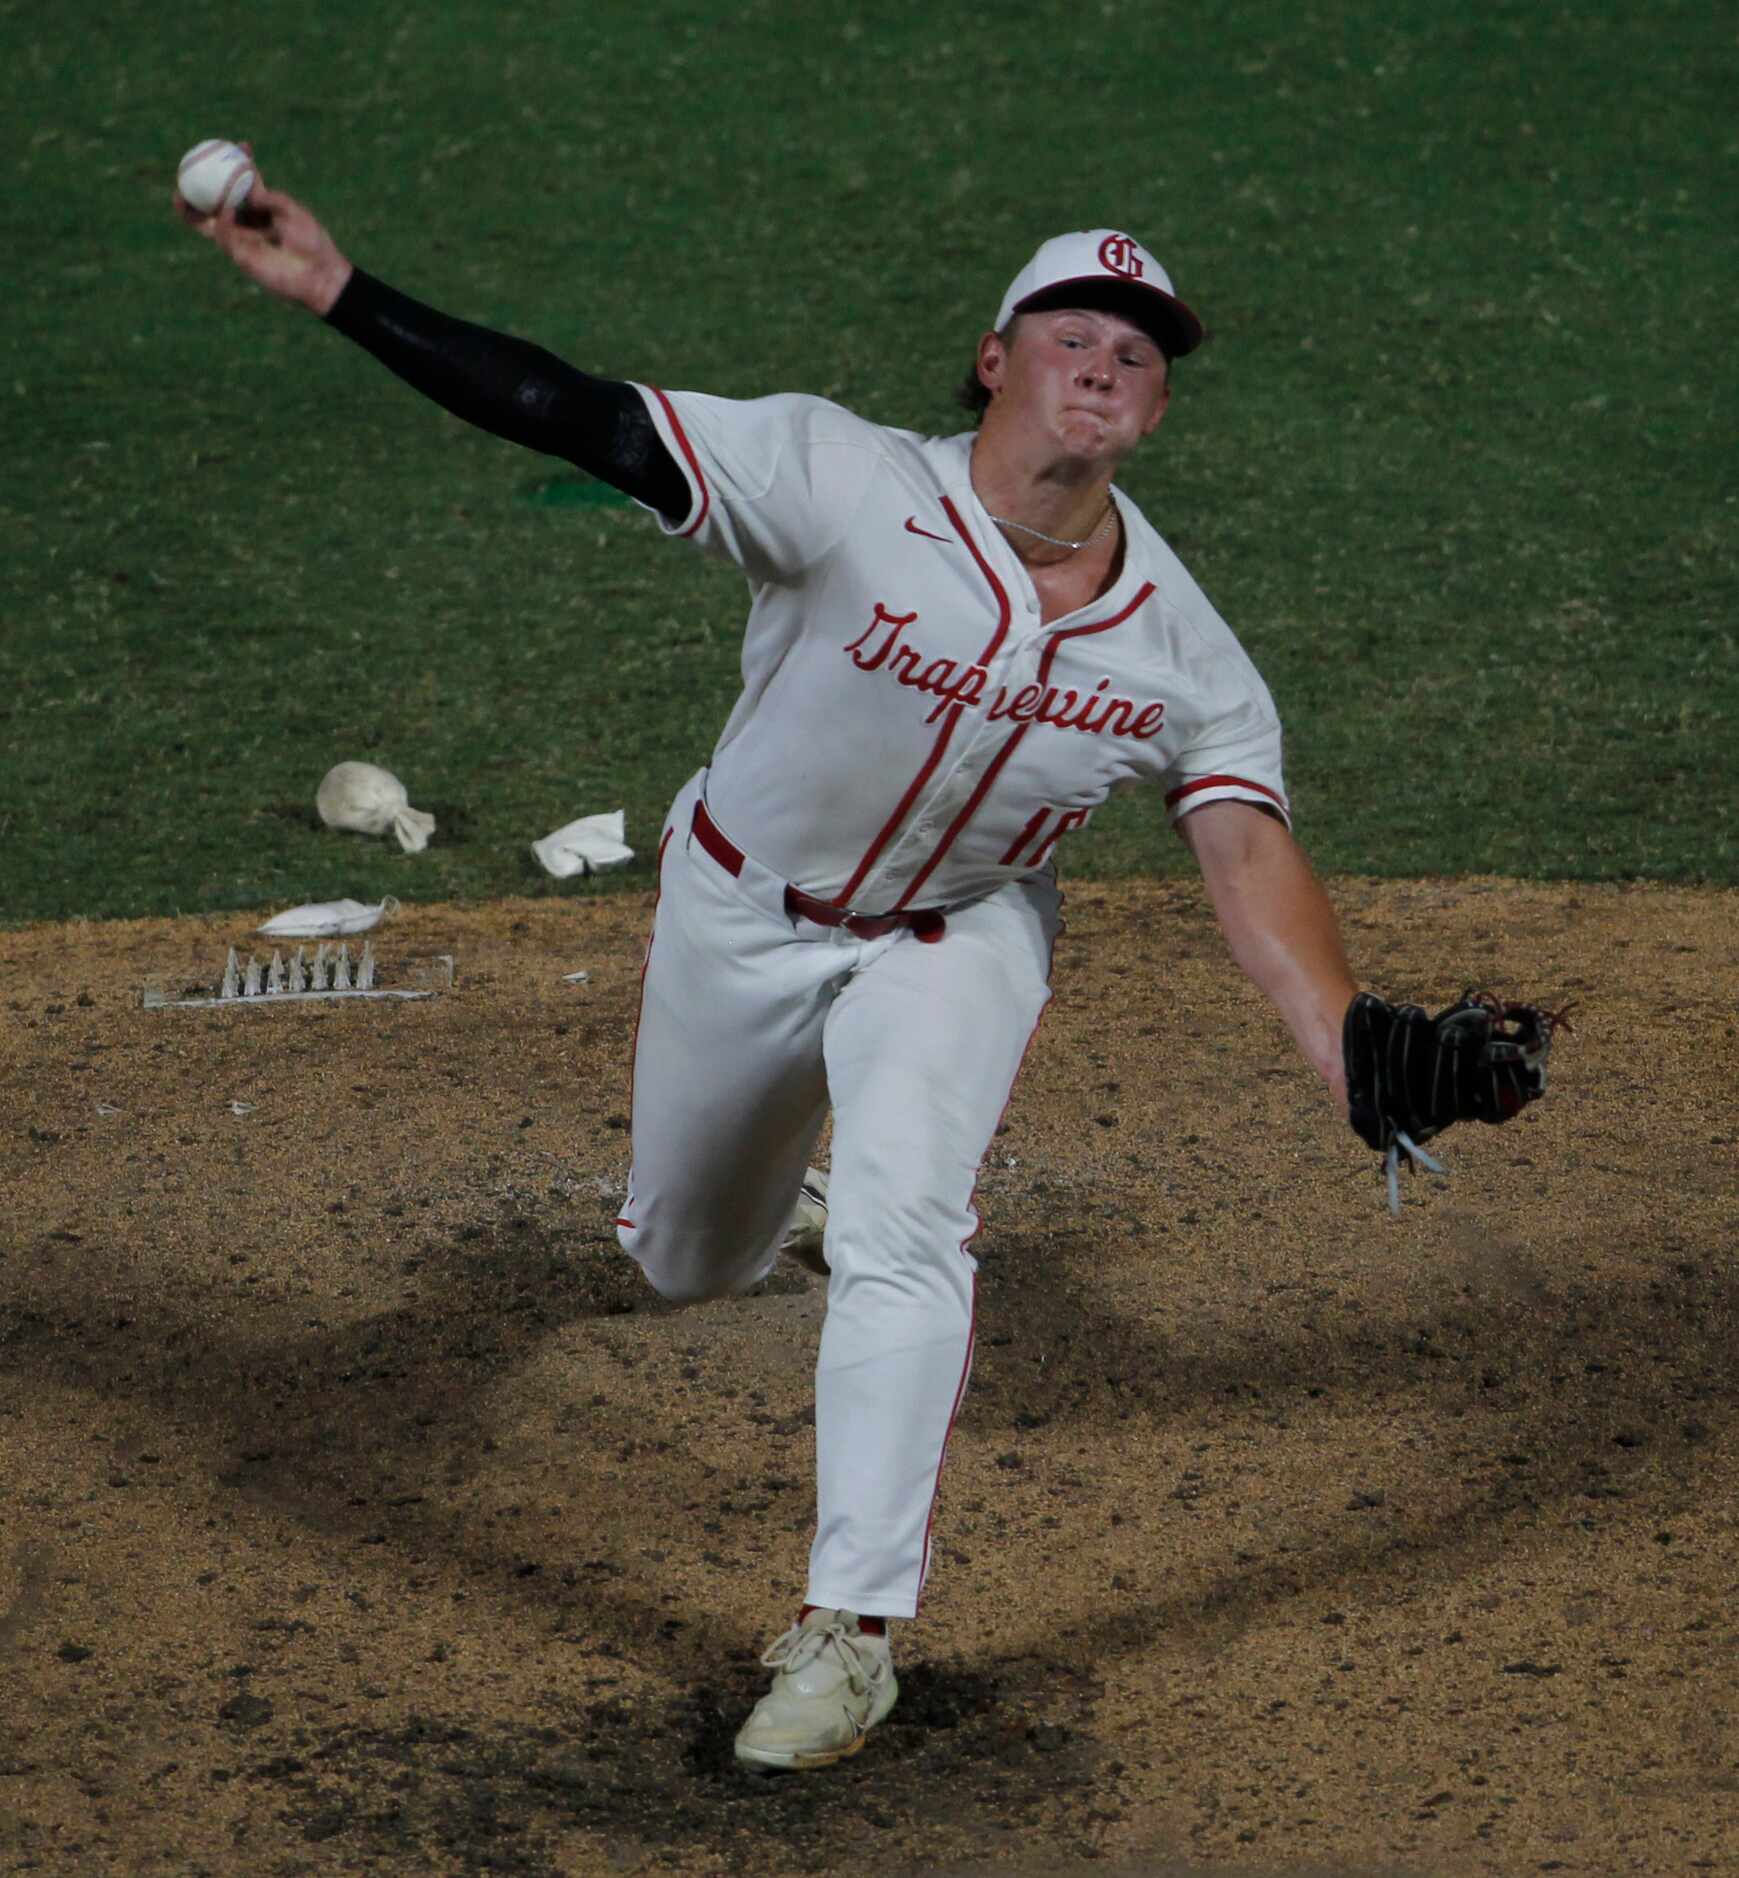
{"x": 516, "y": 392}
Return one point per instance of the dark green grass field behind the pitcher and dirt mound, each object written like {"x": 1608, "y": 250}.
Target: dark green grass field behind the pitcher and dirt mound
{"x": 1458, "y": 465}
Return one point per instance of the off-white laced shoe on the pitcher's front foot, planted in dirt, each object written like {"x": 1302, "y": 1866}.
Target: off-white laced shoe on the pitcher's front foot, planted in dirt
{"x": 833, "y": 1684}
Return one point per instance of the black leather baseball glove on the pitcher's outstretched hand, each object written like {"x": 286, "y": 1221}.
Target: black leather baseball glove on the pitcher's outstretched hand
{"x": 1411, "y": 1075}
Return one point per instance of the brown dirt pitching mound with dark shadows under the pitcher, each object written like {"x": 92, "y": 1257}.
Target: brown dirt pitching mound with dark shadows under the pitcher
{"x": 362, "y": 1509}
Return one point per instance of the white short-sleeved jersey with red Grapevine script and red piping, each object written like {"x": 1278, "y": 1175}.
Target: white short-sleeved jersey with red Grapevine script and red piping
{"x": 910, "y": 733}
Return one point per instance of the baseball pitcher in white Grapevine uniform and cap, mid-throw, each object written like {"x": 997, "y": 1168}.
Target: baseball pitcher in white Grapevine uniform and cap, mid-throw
{"x": 955, "y": 651}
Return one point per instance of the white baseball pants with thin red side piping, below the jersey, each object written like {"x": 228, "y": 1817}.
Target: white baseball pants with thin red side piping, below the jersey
{"x": 752, "y": 1023}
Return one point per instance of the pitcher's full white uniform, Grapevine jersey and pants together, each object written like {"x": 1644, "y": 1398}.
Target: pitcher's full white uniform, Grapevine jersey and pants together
{"x": 910, "y": 737}
